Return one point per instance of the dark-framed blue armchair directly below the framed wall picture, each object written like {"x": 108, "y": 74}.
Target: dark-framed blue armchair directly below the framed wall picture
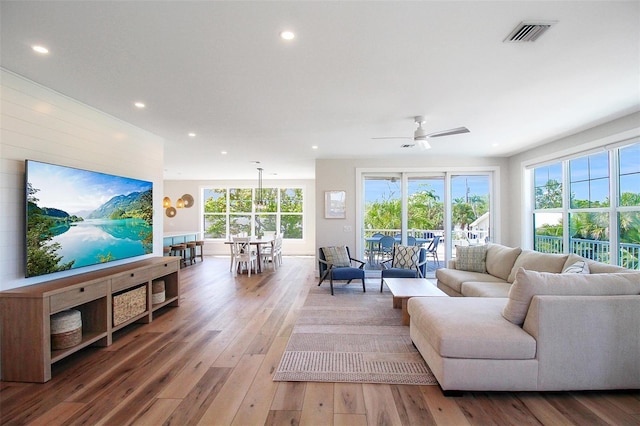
{"x": 337, "y": 264}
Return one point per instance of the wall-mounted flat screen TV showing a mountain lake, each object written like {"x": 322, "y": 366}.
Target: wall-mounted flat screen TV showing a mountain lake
{"x": 77, "y": 218}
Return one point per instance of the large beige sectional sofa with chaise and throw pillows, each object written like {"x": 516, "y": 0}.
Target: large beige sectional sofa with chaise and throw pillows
{"x": 519, "y": 329}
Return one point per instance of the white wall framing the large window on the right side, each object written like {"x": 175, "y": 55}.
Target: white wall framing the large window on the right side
{"x": 624, "y": 128}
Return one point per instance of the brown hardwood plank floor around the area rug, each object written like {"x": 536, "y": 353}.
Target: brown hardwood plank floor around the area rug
{"x": 210, "y": 361}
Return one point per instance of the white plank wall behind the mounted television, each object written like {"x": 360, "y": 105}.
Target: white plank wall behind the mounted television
{"x": 40, "y": 124}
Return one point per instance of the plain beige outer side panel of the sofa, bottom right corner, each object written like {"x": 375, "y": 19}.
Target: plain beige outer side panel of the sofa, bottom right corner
{"x": 586, "y": 342}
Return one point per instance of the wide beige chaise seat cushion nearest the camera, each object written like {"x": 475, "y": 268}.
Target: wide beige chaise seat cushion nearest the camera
{"x": 470, "y": 327}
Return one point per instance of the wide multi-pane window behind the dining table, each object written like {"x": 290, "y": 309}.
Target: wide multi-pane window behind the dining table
{"x": 232, "y": 211}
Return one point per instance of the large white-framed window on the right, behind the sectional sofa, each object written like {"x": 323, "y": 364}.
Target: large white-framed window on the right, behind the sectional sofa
{"x": 602, "y": 190}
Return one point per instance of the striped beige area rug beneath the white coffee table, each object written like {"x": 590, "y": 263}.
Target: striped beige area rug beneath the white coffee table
{"x": 352, "y": 337}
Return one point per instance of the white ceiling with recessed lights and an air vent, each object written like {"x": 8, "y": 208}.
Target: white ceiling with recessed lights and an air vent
{"x": 355, "y": 70}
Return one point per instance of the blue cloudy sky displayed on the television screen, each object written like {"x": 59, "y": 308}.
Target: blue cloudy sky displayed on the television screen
{"x": 75, "y": 190}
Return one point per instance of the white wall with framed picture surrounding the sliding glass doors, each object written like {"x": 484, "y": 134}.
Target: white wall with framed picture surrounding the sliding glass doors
{"x": 341, "y": 175}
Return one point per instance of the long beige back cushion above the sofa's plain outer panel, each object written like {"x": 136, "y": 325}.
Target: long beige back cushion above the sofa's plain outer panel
{"x": 531, "y": 283}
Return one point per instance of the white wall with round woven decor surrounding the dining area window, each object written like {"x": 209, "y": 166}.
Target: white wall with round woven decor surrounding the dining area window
{"x": 190, "y": 220}
